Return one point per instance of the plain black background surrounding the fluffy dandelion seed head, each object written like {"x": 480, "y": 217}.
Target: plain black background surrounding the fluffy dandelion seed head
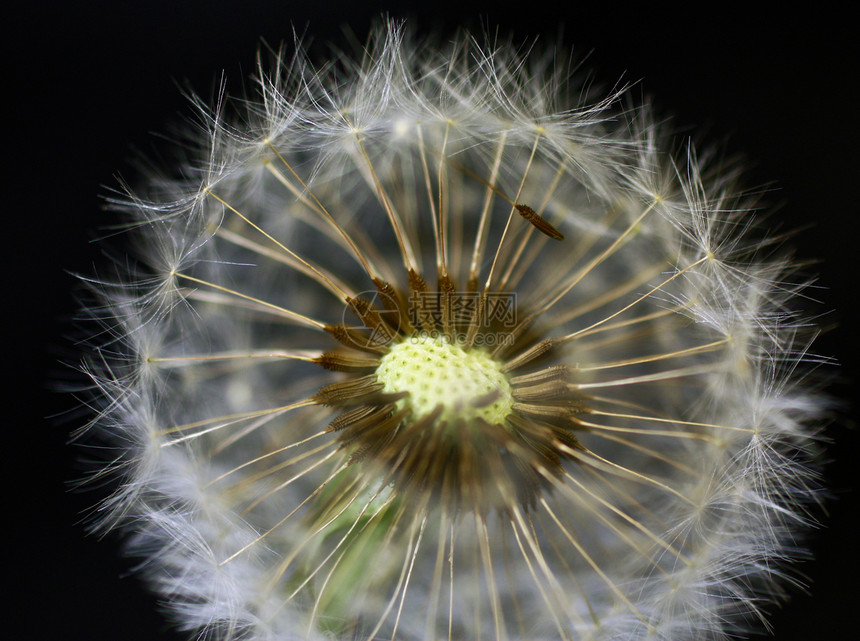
{"x": 86, "y": 84}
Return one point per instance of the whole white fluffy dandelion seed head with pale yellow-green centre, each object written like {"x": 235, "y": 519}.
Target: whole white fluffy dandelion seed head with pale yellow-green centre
{"x": 437, "y": 344}
